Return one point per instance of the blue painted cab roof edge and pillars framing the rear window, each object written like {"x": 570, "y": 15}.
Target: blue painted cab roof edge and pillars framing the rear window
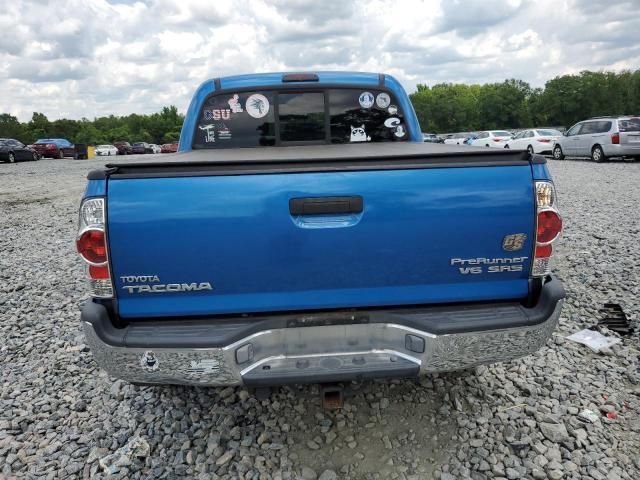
{"x": 258, "y": 80}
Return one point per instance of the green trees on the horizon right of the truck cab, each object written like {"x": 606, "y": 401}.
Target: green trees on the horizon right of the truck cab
{"x": 563, "y": 101}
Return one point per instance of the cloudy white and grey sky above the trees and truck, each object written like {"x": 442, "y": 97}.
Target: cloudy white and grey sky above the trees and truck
{"x": 88, "y": 58}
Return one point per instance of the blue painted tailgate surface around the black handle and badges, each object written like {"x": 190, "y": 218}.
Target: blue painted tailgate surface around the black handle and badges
{"x": 236, "y": 232}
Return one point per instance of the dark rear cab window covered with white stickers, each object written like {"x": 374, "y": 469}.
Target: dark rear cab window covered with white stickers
{"x": 282, "y": 117}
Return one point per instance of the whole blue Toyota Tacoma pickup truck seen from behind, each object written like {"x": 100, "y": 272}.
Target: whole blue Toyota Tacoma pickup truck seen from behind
{"x": 304, "y": 233}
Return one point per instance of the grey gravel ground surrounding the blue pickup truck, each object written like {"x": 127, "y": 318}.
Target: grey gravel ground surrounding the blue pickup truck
{"x": 62, "y": 417}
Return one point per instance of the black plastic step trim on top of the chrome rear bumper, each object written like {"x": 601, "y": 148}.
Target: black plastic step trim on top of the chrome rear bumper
{"x": 220, "y": 331}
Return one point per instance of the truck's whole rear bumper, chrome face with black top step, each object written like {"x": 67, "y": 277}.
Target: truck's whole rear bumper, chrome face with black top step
{"x": 321, "y": 347}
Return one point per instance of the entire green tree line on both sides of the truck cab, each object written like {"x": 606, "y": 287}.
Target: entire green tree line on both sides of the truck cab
{"x": 445, "y": 107}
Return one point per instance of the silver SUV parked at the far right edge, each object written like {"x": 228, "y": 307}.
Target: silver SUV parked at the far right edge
{"x": 600, "y": 138}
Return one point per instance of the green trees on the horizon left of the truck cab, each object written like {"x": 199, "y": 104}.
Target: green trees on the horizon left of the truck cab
{"x": 160, "y": 127}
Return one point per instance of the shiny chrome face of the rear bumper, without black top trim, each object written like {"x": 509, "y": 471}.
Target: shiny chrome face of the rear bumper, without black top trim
{"x": 320, "y": 354}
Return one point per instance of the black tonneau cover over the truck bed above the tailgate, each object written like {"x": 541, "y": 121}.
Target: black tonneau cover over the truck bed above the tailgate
{"x": 317, "y": 158}
